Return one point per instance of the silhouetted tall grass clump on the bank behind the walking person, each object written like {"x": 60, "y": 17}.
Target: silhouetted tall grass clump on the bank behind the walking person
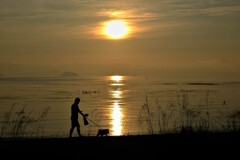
{"x": 18, "y": 123}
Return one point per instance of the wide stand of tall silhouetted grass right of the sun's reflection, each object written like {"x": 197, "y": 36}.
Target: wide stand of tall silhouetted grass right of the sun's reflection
{"x": 180, "y": 116}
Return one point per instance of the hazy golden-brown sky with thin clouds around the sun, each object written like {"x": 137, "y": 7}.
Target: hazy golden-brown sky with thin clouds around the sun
{"x": 166, "y": 37}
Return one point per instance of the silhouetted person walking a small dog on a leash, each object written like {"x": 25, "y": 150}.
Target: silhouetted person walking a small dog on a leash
{"x": 74, "y": 117}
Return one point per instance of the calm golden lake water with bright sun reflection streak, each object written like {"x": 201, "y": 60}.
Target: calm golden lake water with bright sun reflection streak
{"x": 127, "y": 105}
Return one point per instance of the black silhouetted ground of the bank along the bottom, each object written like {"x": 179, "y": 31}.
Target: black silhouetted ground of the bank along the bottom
{"x": 188, "y": 146}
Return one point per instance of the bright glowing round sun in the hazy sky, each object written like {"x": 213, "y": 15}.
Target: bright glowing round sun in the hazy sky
{"x": 116, "y": 29}
